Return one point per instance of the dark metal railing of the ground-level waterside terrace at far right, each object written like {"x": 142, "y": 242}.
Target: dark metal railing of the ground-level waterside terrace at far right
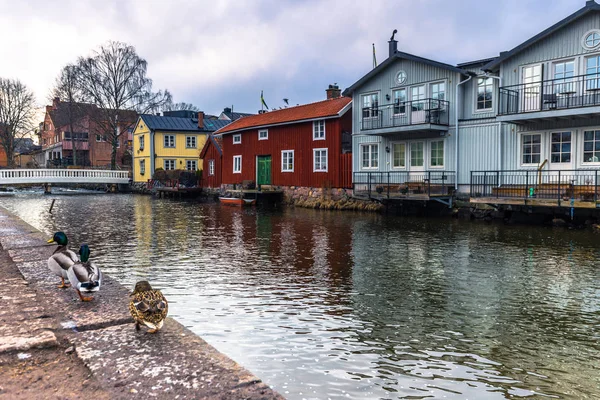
{"x": 560, "y": 185}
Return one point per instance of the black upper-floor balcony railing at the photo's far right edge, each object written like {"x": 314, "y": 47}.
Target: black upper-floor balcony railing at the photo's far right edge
{"x": 556, "y": 94}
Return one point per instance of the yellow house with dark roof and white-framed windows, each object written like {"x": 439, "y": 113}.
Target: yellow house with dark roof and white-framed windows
{"x": 171, "y": 141}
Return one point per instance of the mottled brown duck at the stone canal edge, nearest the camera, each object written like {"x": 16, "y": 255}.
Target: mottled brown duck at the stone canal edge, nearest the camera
{"x": 148, "y": 307}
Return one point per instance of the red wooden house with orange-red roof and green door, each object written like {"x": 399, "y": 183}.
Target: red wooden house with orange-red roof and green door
{"x": 302, "y": 146}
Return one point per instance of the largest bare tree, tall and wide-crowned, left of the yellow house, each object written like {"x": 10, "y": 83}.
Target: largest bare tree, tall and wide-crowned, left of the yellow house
{"x": 114, "y": 79}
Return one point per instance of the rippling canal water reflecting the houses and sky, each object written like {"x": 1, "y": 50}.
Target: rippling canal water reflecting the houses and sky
{"x": 329, "y": 305}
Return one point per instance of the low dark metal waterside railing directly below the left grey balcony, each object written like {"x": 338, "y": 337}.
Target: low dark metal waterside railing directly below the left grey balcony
{"x": 403, "y": 184}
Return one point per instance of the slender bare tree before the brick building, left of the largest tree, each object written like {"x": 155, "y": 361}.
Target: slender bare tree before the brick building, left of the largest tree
{"x": 66, "y": 88}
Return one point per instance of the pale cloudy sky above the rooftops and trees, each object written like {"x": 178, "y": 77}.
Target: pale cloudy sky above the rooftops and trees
{"x": 224, "y": 52}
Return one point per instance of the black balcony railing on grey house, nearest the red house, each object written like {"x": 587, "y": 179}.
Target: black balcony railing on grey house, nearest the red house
{"x": 416, "y": 112}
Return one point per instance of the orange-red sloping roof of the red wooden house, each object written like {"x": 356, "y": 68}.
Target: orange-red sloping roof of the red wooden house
{"x": 320, "y": 109}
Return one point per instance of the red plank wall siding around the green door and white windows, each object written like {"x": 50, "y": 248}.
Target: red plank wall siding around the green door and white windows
{"x": 297, "y": 137}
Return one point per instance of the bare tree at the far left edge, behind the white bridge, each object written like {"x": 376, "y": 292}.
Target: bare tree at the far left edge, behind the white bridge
{"x": 17, "y": 113}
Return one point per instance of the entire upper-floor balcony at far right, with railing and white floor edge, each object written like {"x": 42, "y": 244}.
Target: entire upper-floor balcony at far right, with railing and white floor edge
{"x": 574, "y": 96}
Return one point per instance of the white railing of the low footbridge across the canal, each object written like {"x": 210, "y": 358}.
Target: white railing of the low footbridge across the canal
{"x": 19, "y": 176}
